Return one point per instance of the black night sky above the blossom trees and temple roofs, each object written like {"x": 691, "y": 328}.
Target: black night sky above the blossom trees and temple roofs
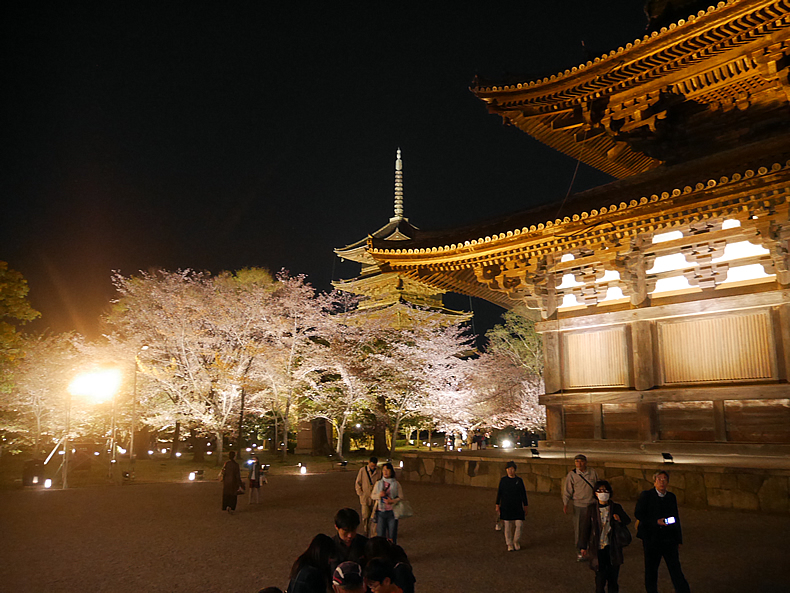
{"x": 216, "y": 136}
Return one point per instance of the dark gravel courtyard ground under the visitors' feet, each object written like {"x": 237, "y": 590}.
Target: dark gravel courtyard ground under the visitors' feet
{"x": 173, "y": 537}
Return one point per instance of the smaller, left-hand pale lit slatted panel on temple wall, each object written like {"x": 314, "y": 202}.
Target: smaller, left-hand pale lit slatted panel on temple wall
{"x": 595, "y": 359}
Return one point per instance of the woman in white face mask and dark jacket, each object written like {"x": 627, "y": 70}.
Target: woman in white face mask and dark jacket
{"x": 596, "y": 541}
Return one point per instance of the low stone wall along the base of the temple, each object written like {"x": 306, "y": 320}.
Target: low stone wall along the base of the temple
{"x": 764, "y": 490}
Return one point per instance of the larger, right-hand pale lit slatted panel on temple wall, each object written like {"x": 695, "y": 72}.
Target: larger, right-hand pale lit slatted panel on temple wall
{"x": 738, "y": 347}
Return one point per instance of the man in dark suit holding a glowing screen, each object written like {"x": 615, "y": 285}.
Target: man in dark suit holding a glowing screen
{"x": 659, "y": 529}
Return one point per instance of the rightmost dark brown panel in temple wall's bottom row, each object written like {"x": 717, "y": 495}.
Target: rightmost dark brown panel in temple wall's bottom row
{"x": 758, "y": 421}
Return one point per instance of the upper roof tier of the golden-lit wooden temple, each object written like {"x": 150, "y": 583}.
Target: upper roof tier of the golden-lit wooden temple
{"x": 712, "y": 81}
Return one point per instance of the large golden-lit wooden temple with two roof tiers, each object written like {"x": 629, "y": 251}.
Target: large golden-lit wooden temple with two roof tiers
{"x": 664, "y": 296}
